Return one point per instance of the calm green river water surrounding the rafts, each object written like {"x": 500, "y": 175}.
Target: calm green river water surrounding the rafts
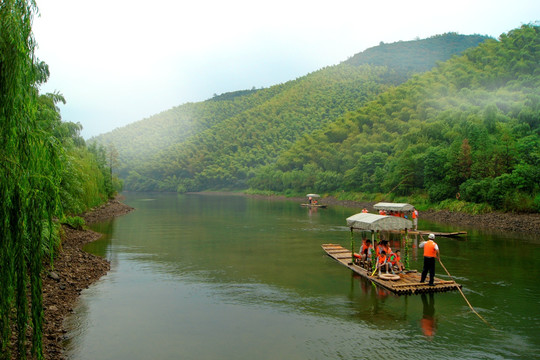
{"x": 229, "y": 277}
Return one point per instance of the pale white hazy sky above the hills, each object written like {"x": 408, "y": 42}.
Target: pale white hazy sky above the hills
{"x": 119, "y": 61}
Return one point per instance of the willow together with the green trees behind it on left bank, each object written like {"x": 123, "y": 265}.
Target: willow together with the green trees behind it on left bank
{"x": 47, "y": 176}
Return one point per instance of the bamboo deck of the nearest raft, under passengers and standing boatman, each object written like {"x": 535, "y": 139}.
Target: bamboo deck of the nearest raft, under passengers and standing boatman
{"x": 408, "y": 283}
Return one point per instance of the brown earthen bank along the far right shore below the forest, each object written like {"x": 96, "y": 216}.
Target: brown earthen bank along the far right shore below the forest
{"x": 527, "y": 223}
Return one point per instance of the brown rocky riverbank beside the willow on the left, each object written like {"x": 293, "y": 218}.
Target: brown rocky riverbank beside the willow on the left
{"x": 74, "y": 270}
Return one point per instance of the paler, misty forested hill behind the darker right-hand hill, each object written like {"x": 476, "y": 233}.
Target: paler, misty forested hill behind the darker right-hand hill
{"x": 221, "y": 141}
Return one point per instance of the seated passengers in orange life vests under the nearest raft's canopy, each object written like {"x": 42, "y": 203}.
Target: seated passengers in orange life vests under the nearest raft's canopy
{"x": 385, "y": 258}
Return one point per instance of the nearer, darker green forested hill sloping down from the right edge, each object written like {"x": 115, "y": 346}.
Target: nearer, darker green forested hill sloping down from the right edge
{"x": 468, "y": 129}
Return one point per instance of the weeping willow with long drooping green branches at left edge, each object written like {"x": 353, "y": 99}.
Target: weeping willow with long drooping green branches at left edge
{"x": 29, "y": 172}
